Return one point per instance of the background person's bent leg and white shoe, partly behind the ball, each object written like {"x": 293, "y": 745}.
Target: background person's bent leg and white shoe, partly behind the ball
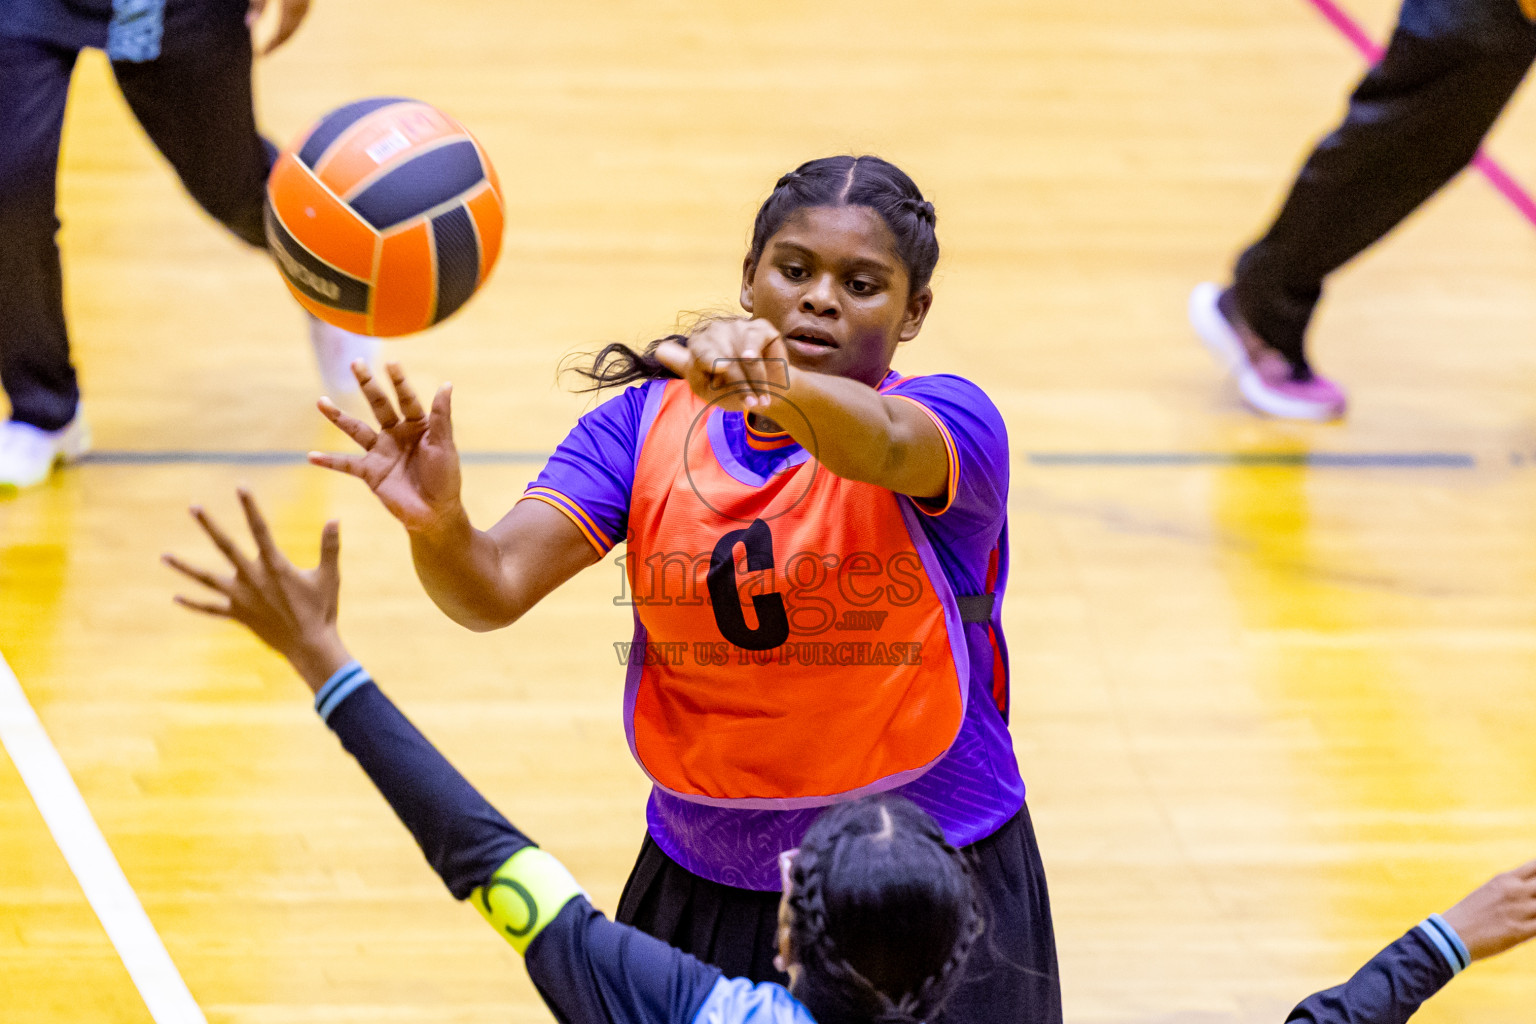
{"x": 196, "y": 104}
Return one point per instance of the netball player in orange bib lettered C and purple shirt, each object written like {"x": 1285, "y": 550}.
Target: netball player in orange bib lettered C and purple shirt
{"x": 816, "y": 553}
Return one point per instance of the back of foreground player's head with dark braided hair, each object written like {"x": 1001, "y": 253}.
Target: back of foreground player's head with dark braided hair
{"x": 879, "y": 914}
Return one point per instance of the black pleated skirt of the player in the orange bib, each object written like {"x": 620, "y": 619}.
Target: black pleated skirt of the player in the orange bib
{"x": 1011, "y": 977}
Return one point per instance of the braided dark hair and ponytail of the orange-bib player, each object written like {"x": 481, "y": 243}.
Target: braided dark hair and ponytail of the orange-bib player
{"x": 829, "y": 182}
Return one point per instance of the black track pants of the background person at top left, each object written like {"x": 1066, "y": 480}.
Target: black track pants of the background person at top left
{"x": 194, "y": 102}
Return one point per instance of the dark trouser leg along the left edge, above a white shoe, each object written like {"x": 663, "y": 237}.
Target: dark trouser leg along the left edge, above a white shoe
{"x": 35, "y": 349}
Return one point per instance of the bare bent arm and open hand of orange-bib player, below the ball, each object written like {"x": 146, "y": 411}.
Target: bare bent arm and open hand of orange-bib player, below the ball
{"x": 480, "y": 580}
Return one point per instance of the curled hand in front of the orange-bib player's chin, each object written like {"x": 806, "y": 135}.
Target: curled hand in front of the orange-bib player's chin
{"x": 743, "y": 365}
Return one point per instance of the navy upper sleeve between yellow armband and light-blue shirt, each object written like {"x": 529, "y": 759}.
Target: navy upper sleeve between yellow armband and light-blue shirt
{"x": 592, "y": 971}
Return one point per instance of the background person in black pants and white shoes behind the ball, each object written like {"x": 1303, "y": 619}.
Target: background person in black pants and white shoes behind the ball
{"x": 185, "y": 70}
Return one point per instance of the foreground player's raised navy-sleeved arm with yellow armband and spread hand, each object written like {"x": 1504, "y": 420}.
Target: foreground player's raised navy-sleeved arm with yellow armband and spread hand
{"x": 589, "y": 969}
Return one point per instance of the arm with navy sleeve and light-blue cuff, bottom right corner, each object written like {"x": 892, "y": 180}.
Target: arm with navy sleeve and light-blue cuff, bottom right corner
{"x": 1495, "y": 917}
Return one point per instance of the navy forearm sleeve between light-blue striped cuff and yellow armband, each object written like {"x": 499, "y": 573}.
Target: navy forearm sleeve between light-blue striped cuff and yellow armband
{"x": 463, "y": 837}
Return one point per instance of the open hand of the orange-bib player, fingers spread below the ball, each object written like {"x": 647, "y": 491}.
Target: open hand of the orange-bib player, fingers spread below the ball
{"x": 409, "y": 461}
